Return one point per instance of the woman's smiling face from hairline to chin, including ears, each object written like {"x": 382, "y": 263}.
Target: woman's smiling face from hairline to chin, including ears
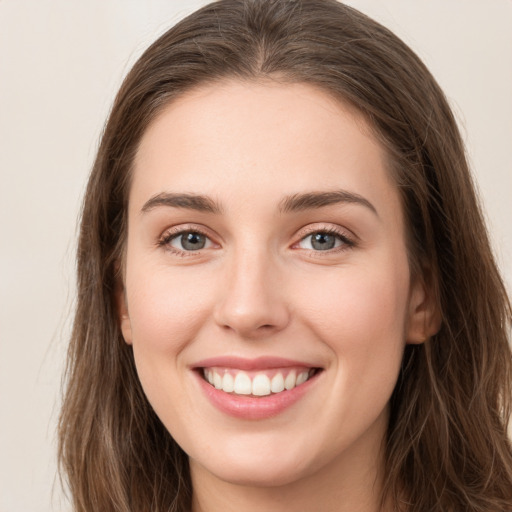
{"x": 266, "y": 255}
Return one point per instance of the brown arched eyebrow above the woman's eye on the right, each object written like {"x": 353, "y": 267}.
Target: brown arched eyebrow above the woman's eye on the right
{"x": 313, "y": 200}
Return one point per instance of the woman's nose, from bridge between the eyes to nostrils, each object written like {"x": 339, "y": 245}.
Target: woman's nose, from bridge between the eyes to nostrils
{"x": 252, "y": 302}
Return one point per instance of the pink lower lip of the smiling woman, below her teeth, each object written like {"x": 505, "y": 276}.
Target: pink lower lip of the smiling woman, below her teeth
{"x": 255, "y": 408}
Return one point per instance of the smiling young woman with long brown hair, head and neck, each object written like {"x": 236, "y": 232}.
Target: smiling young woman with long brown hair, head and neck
{"x": 287, "y": 299}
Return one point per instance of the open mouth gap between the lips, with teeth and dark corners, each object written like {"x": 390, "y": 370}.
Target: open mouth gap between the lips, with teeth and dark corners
{"x": 257, "y": 383}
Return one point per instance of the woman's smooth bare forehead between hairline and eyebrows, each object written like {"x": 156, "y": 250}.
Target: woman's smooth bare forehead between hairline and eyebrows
{"x": 259, "y": 140}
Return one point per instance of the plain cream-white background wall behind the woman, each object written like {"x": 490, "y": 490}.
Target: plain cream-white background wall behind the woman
{"x": 61, "y": 62}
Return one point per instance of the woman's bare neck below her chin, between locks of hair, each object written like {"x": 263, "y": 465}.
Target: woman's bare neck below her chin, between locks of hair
{"x": 352, "y": 482}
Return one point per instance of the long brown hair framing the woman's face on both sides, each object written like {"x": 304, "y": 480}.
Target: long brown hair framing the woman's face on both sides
{"x": 447, "y": 447}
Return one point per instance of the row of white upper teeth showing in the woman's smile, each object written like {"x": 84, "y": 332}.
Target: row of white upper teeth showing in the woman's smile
{"x": 259, "y": 385}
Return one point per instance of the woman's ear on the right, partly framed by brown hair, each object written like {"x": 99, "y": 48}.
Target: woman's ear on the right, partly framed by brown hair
{"x": 424, "y": 318}
